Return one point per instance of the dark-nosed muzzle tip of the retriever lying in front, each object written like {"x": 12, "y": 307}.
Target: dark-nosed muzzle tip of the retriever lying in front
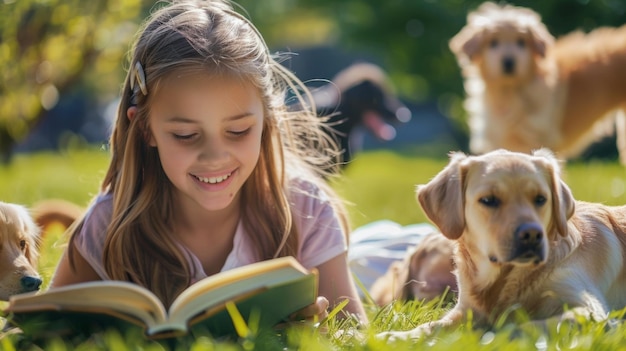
{"x": 528, "y": 244}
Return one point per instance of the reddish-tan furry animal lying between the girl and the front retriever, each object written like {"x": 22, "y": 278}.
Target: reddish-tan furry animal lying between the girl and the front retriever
{"x": 424, "y": 274}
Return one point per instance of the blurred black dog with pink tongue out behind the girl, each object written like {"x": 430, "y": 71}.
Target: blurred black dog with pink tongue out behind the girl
{"x": 360, "y": 96}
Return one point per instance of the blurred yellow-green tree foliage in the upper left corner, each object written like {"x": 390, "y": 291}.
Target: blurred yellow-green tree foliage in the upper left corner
{"x": 49, "y": 46}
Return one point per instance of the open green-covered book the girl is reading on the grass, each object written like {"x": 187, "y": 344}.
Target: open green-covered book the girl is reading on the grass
{"x": 272, "y": 289}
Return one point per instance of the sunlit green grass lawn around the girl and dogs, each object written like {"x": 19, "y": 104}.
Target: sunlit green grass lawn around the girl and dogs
{"x": 379, "y": 185}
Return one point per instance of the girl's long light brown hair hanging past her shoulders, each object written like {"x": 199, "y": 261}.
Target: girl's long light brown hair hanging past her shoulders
{"x": 212, "y": 37}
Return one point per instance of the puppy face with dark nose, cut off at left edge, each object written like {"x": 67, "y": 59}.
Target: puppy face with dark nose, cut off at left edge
{"x": 19, "y": 237}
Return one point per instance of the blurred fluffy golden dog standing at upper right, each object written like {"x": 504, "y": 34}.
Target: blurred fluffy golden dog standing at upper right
{"x": 525, "y": 90}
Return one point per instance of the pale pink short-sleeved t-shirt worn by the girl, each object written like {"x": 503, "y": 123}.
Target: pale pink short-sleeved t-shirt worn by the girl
{"x": 321, "y": 235}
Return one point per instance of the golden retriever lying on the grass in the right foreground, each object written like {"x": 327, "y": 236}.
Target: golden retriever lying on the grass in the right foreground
{"x": 522, "y": 240}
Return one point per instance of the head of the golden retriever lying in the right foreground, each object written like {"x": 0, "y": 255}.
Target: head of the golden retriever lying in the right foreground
{"x": 508, "y": 206}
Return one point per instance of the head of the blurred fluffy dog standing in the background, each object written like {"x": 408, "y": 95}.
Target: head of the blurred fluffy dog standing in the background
{"x": 504, "y": 42}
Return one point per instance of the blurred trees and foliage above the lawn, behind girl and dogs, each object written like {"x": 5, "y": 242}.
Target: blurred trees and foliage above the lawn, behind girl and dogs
{"x": 64, "y": 60}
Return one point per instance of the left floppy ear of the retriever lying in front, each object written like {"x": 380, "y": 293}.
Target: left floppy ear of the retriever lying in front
{"x": 442, "y": 198}
